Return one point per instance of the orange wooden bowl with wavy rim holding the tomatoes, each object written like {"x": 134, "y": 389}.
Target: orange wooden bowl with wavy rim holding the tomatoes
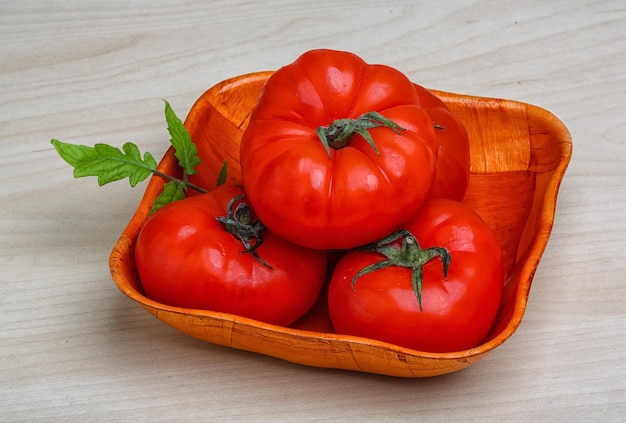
{"x": 519, "y": 154}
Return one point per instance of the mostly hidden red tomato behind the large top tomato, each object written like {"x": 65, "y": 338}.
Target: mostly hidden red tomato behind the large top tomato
{"x": 453, "y": 151}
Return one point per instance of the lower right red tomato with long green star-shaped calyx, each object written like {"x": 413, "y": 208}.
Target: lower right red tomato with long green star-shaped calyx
{"x": 435, "y": 286}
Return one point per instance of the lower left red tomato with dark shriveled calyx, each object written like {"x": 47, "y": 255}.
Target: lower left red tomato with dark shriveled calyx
{"x": 187, "y": 258}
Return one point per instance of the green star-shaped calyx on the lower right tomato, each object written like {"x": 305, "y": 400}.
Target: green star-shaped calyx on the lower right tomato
{"x": 409, "y": 255}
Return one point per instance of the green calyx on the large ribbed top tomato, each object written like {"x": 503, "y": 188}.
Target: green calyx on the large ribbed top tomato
{"x": 339, "y": 133}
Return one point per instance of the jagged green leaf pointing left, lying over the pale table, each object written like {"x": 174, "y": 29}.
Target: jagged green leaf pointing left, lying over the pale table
{"x": 106, "y": 162}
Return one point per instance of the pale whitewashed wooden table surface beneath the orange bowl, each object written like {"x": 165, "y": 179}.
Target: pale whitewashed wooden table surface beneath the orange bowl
{"x": 74, "y": 348}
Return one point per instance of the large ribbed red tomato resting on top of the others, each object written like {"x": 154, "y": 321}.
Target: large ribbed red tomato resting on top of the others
{"x": 354, "y": 190}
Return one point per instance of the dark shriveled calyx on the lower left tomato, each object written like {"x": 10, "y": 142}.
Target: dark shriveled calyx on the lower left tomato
{"x": 239, "y": 223}
